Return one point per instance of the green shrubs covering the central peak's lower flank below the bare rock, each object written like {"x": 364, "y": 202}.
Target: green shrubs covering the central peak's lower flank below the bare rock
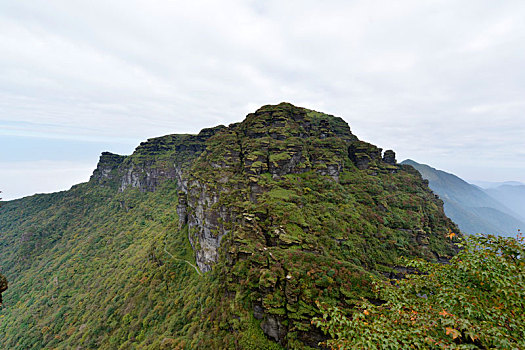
{"x": 312, "y": 239}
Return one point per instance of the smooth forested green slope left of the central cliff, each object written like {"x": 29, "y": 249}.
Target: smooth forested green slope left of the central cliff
{"x": 88, "y": 269}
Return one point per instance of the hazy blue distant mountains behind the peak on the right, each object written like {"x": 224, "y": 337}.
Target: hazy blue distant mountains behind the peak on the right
{"x": 475, "y": 209}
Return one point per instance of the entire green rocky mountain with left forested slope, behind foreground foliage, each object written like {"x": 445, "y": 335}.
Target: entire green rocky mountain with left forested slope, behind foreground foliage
{"x": 225, "y": 239}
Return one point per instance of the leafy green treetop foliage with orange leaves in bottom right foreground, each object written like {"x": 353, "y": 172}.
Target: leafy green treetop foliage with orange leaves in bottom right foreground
{"x": 475, "y": 301}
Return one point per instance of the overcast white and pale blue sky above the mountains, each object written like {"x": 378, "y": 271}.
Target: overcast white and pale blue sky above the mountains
{"x": 440, "y": 82}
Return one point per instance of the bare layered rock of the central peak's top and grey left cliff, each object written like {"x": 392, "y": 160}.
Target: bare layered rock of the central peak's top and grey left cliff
{"x": 278, "y": 140}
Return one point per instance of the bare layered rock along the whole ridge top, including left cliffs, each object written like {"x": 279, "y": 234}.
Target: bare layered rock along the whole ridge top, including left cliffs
{"x": 278, "y": 140}
